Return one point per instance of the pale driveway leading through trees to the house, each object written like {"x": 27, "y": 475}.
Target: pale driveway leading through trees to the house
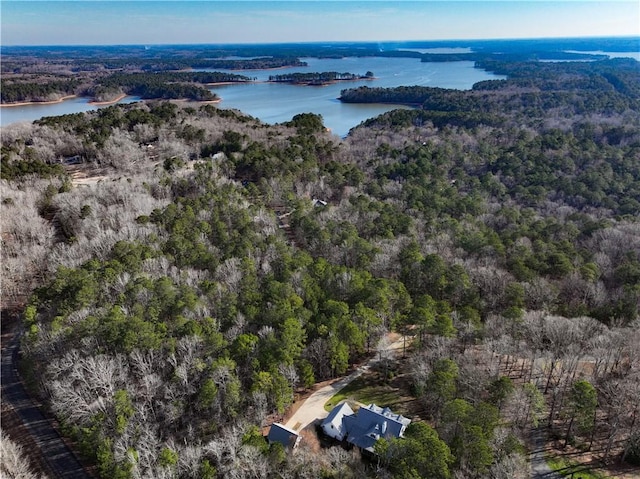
{"x": 313, "y": 407}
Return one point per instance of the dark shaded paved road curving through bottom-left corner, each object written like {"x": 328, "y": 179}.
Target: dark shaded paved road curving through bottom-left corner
{"x": 61, "y": 461}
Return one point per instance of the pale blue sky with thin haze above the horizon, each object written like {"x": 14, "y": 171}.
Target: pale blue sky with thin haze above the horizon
{"x": 150, "y": 22}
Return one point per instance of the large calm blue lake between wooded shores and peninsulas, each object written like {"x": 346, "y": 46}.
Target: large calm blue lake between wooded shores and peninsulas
{"x": 276, "y": 103}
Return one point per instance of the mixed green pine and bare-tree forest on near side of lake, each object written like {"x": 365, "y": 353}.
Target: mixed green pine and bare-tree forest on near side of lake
{"x": 179, "y": 287}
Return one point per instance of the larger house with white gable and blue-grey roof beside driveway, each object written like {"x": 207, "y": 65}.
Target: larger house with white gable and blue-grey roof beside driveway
{"x": 364, "y": 428}
